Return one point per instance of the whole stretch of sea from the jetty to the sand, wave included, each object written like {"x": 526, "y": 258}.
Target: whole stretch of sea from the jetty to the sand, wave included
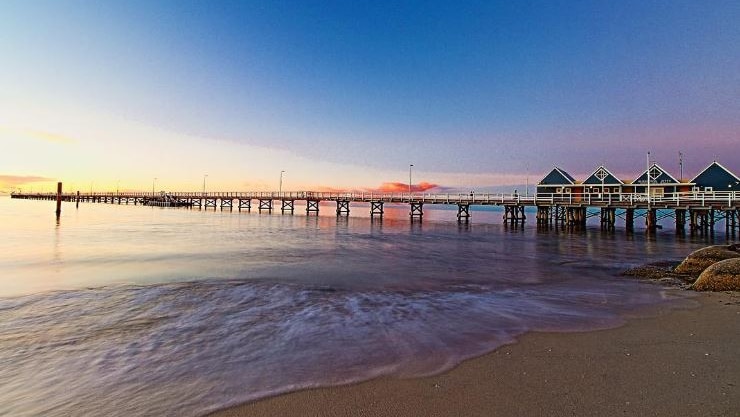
{"x": 122, "y": 310}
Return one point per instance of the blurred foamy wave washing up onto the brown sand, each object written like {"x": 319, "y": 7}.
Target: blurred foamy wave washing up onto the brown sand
{"x": 194, "y": 347}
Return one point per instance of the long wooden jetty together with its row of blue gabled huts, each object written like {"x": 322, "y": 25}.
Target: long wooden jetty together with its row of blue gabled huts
{"x": 709, "y": 198}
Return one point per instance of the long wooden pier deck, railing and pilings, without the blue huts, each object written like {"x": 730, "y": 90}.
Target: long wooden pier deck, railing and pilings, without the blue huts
{"x": 700, "y": 211}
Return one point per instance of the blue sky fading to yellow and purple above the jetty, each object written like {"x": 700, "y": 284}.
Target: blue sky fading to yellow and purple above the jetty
{"x": 346, "y": 95}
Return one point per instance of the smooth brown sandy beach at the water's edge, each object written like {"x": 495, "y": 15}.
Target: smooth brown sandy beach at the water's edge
{"x": 673, "y": 363}
